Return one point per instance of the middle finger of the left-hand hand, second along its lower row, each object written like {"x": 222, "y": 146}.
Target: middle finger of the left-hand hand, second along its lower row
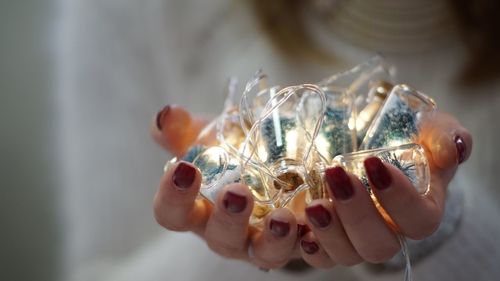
{"x": 227, "y": 228}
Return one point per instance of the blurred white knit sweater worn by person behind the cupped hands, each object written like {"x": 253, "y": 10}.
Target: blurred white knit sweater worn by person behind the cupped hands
{"x": 121, "y": 61}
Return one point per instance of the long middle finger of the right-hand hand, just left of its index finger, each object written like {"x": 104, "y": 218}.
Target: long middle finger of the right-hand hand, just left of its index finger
{"x": 367, "y": 230}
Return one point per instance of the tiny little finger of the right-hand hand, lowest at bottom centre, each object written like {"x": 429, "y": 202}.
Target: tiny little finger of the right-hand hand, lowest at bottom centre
{"x": 313, "y": 253}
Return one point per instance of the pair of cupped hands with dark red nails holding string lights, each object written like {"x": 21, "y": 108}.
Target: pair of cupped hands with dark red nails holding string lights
{"x": 345, "y": 228}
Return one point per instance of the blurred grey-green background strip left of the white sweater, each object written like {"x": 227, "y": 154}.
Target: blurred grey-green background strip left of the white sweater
{"x": 30, "y": 232}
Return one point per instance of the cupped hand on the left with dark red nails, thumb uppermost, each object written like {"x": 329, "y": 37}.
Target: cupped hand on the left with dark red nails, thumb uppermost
{"x": 223, "y": 225}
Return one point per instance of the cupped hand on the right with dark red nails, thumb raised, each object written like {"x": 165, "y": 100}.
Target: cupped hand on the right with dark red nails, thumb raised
{"x": 348, "y": 229}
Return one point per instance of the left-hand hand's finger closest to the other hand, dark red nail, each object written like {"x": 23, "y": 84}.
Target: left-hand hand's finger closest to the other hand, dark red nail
{"x": 273, "y": 247}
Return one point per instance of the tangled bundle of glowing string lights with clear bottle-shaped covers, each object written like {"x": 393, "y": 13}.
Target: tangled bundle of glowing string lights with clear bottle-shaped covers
{"x": 279, "y": 140}
